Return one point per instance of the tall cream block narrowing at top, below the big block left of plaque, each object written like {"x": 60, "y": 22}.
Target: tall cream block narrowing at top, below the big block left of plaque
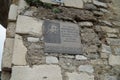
{"x": 19, "y": 52}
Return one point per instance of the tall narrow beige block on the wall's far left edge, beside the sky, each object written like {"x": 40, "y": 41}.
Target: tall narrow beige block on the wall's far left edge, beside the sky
{"x": 7, "y": 54}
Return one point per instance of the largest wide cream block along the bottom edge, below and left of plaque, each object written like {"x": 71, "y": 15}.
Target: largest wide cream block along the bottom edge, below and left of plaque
{"x": 41, "y": 72}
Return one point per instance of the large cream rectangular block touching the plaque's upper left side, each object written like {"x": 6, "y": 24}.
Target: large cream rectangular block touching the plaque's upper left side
{"x": 29, "y": 25}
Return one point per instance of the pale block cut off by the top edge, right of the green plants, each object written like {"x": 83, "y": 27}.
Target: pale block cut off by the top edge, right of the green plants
{"x": 75, "y": 3}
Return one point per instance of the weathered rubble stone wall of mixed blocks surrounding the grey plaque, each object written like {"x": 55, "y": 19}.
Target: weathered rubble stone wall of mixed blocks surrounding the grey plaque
{"x": 24, "y": 57}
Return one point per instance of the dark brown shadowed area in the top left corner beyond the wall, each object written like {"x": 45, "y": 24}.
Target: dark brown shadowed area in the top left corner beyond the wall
{"x": 4, "y": 9}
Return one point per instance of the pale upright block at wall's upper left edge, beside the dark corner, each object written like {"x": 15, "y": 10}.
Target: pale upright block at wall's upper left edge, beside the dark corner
{"x": 13, "y": 12}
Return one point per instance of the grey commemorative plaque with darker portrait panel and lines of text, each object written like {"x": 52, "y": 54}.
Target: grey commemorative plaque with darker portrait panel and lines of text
{"x": 61, "y": 37}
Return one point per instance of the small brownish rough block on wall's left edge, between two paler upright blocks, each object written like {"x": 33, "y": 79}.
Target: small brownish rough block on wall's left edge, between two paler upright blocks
{"x": 10, "y": 33}
